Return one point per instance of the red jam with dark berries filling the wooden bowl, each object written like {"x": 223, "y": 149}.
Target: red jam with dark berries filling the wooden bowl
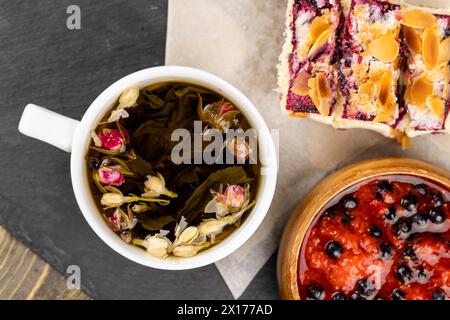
{"x": 394, "y": 244}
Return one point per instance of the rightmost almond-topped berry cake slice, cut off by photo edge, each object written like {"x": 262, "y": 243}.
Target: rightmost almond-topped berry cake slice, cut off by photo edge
{"x": 427, "y": 75}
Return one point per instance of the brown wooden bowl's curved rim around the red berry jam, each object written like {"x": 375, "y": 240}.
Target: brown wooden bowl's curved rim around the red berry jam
{"x": 326, "y": 190}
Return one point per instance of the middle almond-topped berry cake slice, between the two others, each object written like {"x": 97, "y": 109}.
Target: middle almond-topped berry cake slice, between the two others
{"x": 370, "y": 68}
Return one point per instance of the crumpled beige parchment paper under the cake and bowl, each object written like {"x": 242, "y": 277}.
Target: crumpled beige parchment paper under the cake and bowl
{"x": 240, "y": 41}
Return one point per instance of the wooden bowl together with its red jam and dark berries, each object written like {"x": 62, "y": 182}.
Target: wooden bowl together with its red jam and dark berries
{"x": 379, "y": 229}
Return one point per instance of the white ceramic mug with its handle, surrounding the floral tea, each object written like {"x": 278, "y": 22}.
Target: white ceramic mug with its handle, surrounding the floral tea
{"x": 74, "y": 136}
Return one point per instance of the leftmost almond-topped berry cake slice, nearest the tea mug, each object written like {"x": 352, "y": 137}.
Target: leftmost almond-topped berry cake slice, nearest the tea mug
{"x": 307, "y": 71}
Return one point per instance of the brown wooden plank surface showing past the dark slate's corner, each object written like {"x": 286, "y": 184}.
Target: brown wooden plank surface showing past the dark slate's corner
{"x": 23, "y": 275}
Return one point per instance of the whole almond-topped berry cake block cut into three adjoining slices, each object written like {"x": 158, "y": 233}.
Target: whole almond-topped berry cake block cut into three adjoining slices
{"x": 381, "y": 65}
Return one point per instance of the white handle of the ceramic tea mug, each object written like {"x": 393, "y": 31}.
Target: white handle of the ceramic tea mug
{"x": 48, "y": 126}
